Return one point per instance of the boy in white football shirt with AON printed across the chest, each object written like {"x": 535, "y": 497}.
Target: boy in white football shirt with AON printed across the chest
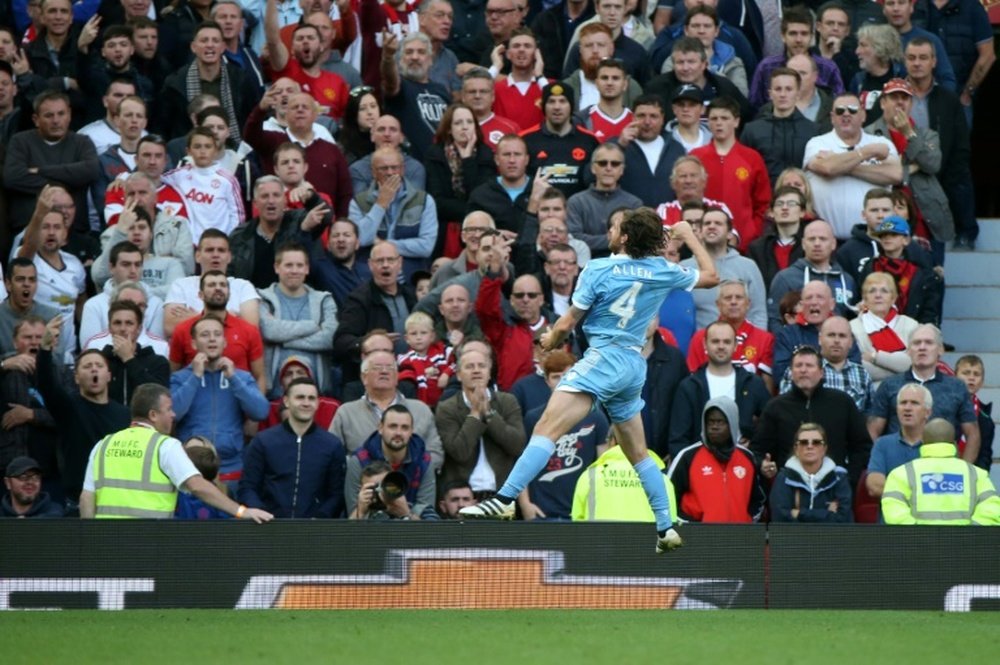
{"x": 211, "y": 194}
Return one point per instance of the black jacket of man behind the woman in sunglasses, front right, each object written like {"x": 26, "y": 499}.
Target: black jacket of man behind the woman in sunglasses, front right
{"x": 848, "y": 443}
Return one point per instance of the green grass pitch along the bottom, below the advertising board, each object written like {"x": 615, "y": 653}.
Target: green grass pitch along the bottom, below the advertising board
{"x": 444, "y": 637}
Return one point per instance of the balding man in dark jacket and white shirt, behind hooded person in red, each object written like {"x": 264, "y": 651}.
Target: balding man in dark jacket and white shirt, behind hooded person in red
{"x": 716, "y": 378}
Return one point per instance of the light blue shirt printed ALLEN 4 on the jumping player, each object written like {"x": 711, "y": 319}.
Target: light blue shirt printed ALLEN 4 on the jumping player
{"x": 622, "y": 295}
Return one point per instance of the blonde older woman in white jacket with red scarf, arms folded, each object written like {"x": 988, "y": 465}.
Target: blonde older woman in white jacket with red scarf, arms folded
{"x": 880, "y": 330}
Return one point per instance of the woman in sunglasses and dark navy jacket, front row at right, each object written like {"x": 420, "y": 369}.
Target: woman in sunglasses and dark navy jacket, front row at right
{"x": 811, "y": 487}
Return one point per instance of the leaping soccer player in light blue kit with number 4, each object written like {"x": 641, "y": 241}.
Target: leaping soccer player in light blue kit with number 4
{"x": 622, "y": 293}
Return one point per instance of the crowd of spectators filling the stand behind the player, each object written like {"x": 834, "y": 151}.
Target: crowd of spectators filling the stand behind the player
{"x": 337, "y": 230}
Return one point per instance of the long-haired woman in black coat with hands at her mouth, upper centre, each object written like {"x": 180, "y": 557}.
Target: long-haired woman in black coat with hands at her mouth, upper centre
{"x": 457, "y": 162}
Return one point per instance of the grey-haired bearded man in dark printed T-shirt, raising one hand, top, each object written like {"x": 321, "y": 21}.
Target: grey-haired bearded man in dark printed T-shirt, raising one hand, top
{"x": 409, "y": 94}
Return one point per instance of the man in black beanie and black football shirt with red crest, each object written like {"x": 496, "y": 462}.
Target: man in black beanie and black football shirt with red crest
{"x": 558, "y": 148}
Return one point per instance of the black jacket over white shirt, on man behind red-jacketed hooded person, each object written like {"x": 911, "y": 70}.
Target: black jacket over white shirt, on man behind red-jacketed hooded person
{"x": 692, "y": 395}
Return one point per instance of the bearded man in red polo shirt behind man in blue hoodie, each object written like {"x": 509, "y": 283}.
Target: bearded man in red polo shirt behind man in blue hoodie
{"x": 244, "y": 346}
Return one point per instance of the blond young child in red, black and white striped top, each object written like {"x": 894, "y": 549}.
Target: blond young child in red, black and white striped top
{"x": 427, "y": 363}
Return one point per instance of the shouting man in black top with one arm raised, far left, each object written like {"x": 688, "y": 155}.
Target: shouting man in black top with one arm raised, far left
{"x": 85, "y": 416}
